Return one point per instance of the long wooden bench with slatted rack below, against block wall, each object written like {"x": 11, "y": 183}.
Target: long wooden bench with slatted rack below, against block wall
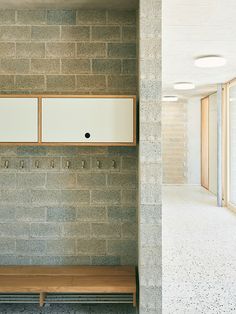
{"x": 67, "y": 284}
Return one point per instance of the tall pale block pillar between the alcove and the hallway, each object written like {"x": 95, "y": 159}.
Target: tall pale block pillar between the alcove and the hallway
{"x": 150, "y": 165}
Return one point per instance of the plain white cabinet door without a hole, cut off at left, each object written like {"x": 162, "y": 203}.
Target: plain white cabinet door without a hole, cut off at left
{"x": 18, "y": 120}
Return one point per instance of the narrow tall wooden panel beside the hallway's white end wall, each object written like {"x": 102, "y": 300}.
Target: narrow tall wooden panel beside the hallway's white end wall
{"x": 205, "y": 142}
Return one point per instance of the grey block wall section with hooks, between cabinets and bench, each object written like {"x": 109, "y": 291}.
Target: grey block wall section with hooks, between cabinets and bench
{"x": 72, "y": 215}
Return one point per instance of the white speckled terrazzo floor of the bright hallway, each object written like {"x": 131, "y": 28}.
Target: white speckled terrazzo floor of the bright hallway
{"x": 199, "y": 253}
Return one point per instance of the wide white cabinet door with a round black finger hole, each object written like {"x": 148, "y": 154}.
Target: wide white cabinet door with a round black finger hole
{"x": 88, "y": 120}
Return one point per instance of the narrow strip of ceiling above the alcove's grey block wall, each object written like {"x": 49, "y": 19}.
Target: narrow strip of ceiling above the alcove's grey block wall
{"x": 85, "y": 4}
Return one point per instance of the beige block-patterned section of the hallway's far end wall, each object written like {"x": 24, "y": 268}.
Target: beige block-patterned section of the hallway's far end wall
{"x": 175, "y": 142}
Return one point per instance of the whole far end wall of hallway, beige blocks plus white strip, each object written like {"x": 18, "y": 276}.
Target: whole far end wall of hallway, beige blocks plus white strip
{"x": 181, "y": 122}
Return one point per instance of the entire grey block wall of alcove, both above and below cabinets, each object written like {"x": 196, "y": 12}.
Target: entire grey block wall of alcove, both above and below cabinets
{"x": 59, "y": 215}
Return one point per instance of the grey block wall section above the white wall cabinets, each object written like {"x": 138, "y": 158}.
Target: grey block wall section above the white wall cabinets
{"x": 68, "y": 51}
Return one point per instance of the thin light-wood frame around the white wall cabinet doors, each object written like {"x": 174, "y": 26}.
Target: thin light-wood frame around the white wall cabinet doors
{"x": 40, "y": 143}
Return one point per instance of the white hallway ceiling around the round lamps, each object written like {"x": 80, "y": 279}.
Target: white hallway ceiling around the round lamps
{"x": 193, "y": 28}
